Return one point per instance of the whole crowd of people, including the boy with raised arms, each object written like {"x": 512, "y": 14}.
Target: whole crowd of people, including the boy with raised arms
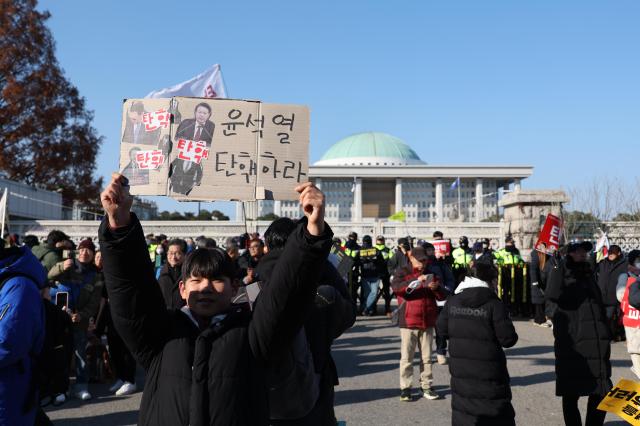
{"x": 258, "y": 315}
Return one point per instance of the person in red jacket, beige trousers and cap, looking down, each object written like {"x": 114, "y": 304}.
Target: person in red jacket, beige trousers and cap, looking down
{"x": 417, "y": 313}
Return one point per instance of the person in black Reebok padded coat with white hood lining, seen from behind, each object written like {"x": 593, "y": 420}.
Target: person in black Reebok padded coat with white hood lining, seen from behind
{"x": 478, "y": 326}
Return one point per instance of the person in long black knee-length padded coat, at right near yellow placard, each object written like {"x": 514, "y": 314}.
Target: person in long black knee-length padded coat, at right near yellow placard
{"x": 582, "y": 339}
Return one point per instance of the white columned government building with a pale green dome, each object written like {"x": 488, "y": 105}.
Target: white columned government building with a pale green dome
{"x": 371, "y": 176}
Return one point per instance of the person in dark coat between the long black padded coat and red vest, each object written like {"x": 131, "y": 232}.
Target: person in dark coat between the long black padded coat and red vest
{"x": 609, "y": 269}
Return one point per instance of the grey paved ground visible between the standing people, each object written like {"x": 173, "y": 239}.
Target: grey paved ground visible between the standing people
{"x": 367, "y": 358}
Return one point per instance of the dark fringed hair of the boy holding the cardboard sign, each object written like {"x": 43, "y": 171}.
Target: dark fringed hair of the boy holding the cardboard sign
{"x": 208, "y": 263}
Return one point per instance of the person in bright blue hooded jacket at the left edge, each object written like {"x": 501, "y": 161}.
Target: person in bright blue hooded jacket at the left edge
{"x": 22, "y": 330}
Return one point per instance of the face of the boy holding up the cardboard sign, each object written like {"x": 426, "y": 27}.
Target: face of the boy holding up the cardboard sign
{"x": 206, "y": 297}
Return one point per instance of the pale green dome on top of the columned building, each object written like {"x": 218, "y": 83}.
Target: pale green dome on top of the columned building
{"x": 370, "y": 149}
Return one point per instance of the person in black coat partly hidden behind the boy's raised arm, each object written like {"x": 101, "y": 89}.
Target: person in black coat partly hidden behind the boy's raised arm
{"x": 306, "y": 397}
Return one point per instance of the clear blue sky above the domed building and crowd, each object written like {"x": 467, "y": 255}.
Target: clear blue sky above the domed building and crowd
{"x": 551, "y": 84}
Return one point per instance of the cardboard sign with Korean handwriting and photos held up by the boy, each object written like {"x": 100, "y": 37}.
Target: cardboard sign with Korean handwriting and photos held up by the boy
{"x": 201, "y": 149}
